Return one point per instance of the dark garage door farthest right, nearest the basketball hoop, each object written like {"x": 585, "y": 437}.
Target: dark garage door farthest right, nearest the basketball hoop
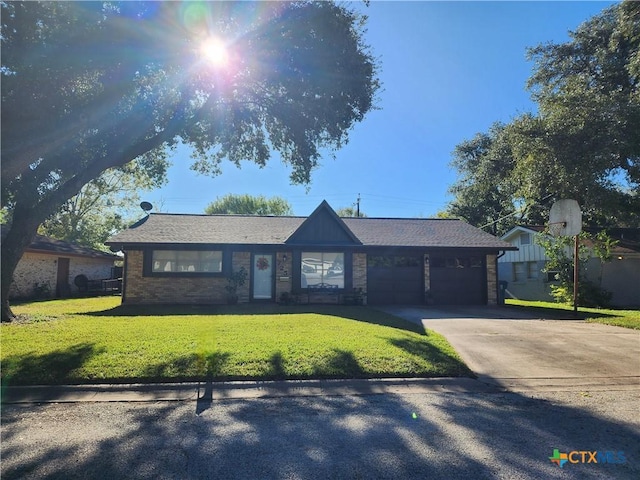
{"x": 458, "y": 280}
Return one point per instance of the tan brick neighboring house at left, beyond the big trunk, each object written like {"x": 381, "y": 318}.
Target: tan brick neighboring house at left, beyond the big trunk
{"x": 49, "y": 266}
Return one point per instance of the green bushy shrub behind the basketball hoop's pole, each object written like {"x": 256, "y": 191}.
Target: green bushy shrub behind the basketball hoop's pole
{"x": 560, "y": 252}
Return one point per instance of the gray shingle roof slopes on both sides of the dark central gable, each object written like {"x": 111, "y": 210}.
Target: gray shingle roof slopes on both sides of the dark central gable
{"x": 160, "y": 228}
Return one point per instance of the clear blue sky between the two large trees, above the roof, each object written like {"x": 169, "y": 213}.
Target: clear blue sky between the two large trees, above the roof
{"x": 449, "y": 70}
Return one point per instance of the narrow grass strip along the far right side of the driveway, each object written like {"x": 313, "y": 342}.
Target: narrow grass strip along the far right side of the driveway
{"x": 620, "y": 318}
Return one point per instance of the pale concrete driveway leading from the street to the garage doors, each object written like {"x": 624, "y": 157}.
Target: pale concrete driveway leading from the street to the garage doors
{"x": 518, "y": 351}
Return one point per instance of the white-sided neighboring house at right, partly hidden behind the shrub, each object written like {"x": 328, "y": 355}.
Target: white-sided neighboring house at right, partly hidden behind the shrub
{"x": 522, "y": 269}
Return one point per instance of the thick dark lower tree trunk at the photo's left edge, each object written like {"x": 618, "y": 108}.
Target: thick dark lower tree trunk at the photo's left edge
{"x": 21, "y": 233}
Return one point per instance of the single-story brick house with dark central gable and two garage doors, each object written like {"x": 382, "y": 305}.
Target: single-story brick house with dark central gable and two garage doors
{"x": 172, "y": 258}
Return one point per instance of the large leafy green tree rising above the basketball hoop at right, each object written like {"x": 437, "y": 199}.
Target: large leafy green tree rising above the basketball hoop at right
{"x": 583, "y": 144}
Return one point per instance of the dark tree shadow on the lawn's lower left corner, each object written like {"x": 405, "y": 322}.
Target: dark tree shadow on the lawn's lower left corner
{"x": 48, "y": 369}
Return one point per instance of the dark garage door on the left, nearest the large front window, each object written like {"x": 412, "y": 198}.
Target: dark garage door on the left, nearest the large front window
{"x": 394, "y": 279}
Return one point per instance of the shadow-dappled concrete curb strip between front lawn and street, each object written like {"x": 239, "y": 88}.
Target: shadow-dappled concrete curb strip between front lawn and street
{"x": 193, "y": 391}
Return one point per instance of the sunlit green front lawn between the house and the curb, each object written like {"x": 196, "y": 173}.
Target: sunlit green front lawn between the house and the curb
{"x": 96, "y": 340}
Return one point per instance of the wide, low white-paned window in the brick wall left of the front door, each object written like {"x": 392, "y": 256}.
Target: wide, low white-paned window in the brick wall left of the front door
{"x": 186, "y": 261}
